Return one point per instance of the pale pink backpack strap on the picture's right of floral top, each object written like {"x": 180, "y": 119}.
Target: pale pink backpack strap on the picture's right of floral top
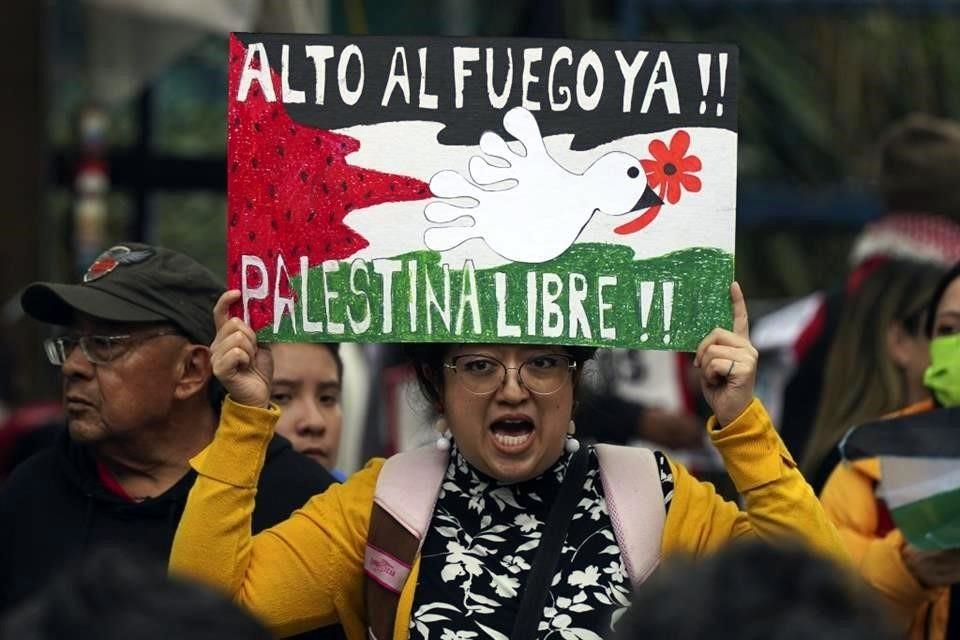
{"x": 631, "y": 485}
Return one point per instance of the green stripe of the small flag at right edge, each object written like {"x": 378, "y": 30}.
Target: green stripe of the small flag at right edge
{"x": 932, "y": 523}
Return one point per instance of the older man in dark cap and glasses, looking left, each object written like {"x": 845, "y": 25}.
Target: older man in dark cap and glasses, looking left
{"x": 140, "y": 401}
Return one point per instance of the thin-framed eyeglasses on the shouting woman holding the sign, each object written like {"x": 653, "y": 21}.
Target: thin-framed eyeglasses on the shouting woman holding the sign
{"x": 541, "y": 375}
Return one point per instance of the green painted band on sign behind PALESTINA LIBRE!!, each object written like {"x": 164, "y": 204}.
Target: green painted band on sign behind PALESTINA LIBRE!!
{"x": 594, "y": 294}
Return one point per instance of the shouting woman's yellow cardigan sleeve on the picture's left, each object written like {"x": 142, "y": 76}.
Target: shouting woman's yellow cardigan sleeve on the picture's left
{"x": 303, "y": 573}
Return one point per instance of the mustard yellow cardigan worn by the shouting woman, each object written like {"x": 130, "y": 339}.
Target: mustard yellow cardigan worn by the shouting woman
{"x": 308, "y": 571}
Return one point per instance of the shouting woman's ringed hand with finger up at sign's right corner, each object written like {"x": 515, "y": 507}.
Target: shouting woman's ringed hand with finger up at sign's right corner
{"x": 728, "y": 364}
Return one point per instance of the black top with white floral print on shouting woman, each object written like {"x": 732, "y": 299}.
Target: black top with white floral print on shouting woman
{"x": 482, "y": 542}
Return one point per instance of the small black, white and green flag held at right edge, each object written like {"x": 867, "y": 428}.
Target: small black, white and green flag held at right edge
{"x": 919, "y": 459}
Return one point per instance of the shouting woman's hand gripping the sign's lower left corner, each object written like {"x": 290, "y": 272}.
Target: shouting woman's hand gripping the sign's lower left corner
{"x": 244, "y": 368}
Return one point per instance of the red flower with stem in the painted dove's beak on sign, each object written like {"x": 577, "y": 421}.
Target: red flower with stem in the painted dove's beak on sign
{"x": 670, "y": 173}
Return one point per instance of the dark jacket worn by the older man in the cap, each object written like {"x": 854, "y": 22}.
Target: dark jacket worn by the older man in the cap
{"x": 54, "y": 511}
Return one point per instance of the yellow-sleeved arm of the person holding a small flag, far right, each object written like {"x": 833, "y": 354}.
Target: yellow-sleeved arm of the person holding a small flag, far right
{"x": 850, "y": 502}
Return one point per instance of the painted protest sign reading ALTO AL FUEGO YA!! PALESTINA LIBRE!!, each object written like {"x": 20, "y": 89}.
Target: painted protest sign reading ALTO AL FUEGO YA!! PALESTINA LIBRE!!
{"x": 481, "y": 190}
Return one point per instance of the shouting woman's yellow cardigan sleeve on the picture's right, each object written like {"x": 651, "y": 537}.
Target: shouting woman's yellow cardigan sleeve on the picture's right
{"x": 779, "y": 502}
